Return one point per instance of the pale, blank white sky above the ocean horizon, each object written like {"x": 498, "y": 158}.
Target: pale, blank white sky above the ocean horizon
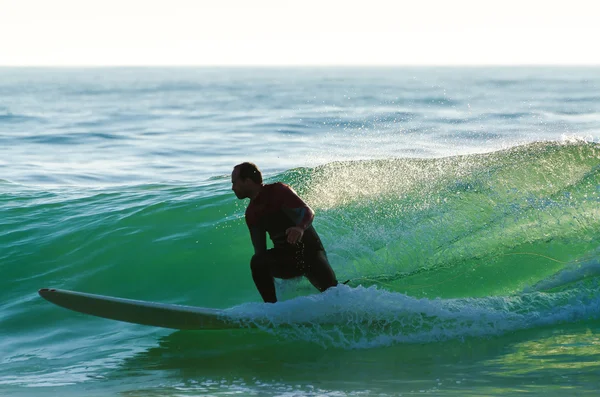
{"x": 299, "y": 32}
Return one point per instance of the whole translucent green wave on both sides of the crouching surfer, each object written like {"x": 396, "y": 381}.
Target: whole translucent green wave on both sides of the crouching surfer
{"x": 519, "y": 225}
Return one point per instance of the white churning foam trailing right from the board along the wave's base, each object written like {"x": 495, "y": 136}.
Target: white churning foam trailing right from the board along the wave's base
{"x": 370, "y": 317}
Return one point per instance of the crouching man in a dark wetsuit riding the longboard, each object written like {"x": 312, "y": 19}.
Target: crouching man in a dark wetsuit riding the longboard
{"x": 276, "y": 209}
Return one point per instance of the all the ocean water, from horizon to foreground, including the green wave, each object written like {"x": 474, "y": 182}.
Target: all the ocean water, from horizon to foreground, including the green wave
{"x": 463, "y": 204}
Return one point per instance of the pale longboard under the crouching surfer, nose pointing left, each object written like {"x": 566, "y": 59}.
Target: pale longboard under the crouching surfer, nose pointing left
{"x": 141, "y": 312}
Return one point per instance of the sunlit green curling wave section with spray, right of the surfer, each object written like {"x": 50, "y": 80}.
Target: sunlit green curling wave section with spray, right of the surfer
{"x": 476, "y": 225}
